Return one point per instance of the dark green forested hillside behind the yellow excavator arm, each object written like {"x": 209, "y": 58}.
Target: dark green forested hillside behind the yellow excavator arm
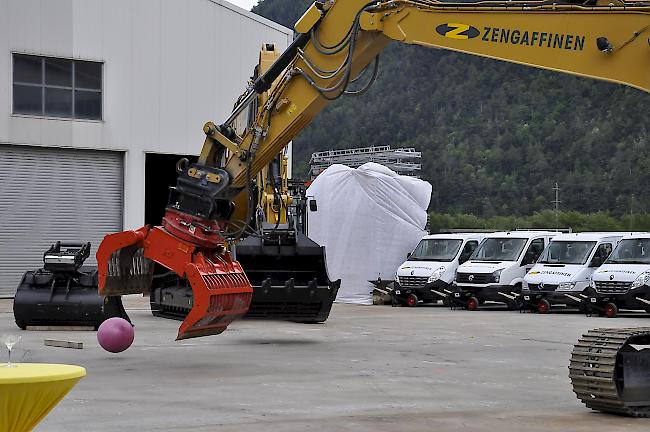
{"x": 495, "y": 137}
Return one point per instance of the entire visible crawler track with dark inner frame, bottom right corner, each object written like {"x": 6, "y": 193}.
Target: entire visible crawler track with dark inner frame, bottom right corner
{"x": 608, "y": 374}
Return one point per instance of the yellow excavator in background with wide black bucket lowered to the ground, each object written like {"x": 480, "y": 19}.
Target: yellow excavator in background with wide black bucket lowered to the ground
{"x": 286, "y": 269}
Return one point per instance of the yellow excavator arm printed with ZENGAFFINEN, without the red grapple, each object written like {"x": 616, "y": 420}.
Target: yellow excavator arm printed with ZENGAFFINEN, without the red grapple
{"x": 338, "y": 39}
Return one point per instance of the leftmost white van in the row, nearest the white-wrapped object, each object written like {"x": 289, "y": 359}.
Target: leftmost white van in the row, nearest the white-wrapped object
{"x": 428, "y": 272}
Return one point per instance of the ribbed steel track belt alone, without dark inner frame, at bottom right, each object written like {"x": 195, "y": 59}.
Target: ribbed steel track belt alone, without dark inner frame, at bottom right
{"x": 593, "y": 370}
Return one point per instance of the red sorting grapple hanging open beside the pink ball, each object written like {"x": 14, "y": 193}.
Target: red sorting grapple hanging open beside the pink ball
{"x": 221, "y": 290}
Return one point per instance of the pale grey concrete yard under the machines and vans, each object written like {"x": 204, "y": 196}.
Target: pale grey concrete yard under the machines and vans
{"x": 369, "y": 368}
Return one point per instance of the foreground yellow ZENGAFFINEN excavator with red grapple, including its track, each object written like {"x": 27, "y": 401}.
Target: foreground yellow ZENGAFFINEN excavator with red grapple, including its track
{"x": 335, "y": 53}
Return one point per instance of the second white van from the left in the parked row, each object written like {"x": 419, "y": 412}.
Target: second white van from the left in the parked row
{"x": 496, "y": 269}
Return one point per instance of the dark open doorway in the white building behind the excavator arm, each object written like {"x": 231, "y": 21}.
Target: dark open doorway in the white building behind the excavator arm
{"x": 160, "y": 174}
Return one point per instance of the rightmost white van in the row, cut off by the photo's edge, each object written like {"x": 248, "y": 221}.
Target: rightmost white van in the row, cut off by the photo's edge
{"x": 623, "y": 281}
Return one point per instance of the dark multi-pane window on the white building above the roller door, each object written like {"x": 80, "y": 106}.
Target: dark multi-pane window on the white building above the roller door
{"x": 56, "y": 87}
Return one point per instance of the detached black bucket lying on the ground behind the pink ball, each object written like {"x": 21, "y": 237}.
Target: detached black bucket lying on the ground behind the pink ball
{"x": 63, "y": 293}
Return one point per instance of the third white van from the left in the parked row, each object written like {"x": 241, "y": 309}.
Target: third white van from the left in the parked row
{"x": 562, "y": 274}
